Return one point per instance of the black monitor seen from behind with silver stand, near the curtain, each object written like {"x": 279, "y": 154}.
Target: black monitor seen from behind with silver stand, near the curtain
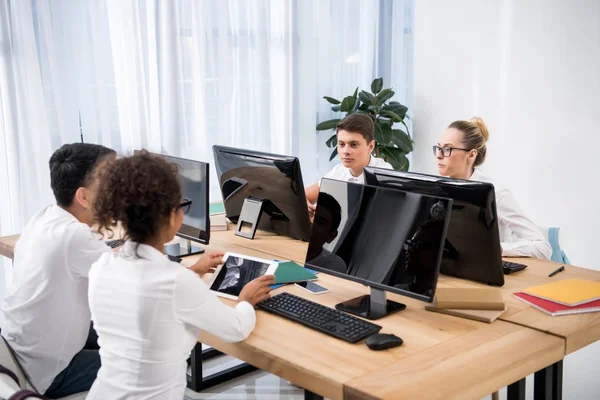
{"x": 269, "y": 184}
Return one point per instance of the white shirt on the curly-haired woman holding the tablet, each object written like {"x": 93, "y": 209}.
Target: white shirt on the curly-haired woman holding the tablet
{"x": 148, "y": 312}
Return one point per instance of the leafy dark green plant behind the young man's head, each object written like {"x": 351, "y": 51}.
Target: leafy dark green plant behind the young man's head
{"x": 391, "y": 142}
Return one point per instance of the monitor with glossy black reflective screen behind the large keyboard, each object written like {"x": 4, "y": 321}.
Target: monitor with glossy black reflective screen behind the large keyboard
{"x": 386, "y": 238}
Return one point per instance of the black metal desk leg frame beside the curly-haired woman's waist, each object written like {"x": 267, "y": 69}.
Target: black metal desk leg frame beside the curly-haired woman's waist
{"x": 197, "y": 382}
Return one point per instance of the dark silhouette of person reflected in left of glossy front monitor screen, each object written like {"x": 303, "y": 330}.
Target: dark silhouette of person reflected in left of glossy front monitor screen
{"x": 325, "y": 229}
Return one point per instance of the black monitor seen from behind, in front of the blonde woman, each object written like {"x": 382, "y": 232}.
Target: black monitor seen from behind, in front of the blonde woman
{"x": 472, "y": 248}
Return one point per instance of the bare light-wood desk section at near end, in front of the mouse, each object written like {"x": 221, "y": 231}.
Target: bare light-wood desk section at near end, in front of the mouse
{"x": 467, "y": 367}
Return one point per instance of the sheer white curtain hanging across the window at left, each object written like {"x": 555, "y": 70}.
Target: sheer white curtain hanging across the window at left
{"x": 177, "y": 76}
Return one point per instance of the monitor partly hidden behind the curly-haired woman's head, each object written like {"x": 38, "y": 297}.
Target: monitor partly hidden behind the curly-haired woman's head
{"x": 193, "y": 177}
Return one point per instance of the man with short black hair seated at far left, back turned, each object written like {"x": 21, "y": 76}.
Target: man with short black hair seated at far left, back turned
{"x": 45, "y": 314}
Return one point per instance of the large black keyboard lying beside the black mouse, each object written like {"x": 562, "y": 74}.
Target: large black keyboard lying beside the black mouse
{"x": 323, "y": 319}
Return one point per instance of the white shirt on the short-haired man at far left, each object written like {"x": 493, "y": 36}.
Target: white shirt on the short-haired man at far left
{"x": 45, "y": 314}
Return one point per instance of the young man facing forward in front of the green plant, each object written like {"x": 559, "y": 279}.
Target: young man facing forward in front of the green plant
{"x": 356, "y": 141}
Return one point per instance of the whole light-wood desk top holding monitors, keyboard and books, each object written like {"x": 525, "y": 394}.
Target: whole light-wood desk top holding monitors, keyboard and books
{"x": 470, "y": 358}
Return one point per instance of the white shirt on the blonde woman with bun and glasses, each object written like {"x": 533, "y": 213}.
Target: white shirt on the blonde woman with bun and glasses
{"x": 519, "y": 236}
